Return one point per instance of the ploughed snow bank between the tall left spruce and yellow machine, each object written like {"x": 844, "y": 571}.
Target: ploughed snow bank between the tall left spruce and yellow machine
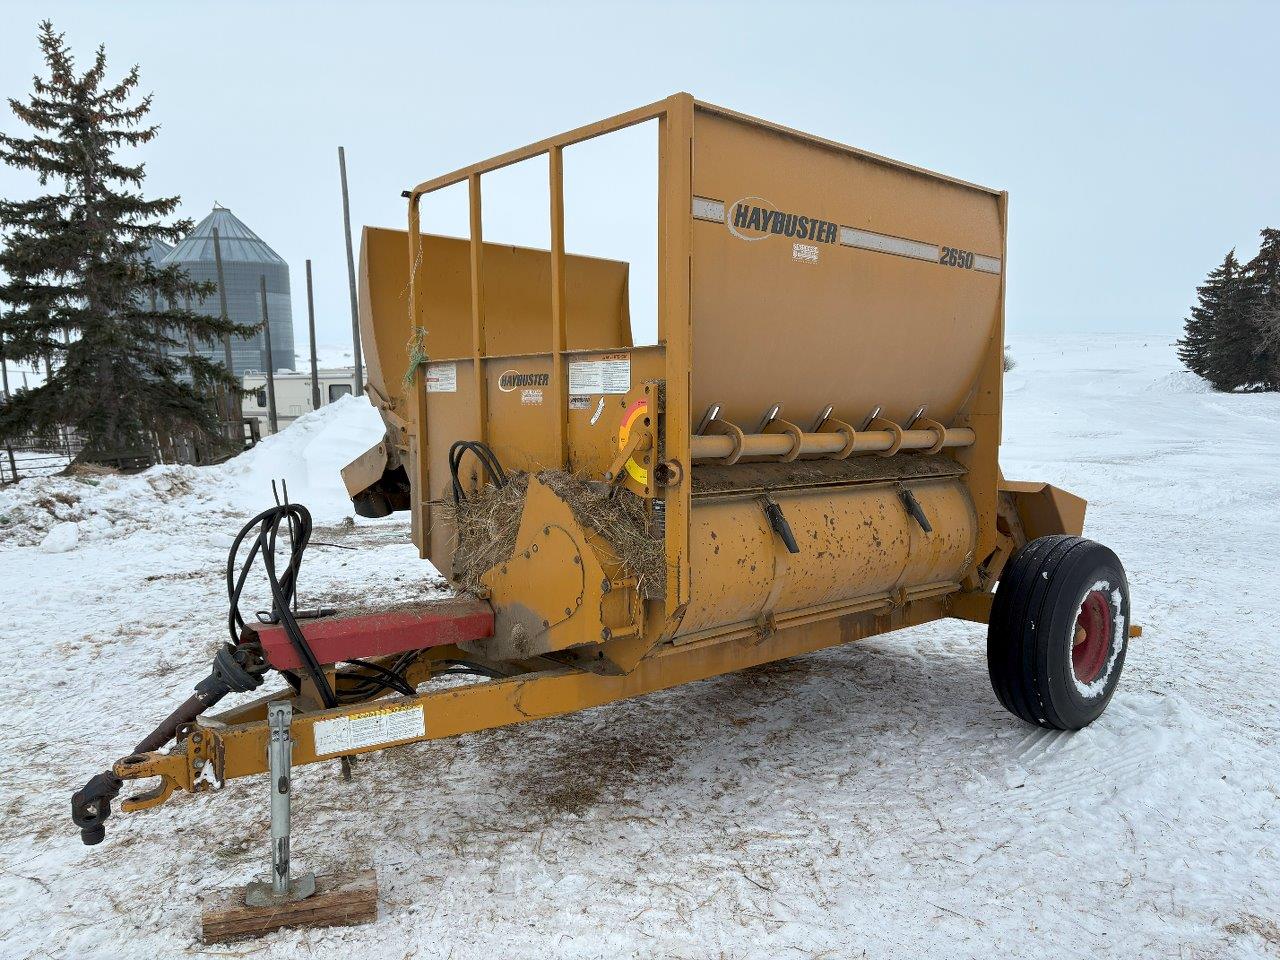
{"x": 307, "y": 455}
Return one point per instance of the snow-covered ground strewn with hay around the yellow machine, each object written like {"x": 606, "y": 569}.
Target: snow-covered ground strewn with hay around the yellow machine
{"x": 871, "y": 801}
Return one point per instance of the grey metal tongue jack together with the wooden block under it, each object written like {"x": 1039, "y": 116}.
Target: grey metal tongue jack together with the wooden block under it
{"x": 335, "y": 900}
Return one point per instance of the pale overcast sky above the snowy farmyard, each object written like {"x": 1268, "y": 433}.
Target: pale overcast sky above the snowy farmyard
{"x": 1139, "y": 141}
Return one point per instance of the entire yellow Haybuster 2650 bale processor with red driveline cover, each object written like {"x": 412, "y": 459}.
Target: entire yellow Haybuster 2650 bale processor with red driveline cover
{"x": 806, "y": 458}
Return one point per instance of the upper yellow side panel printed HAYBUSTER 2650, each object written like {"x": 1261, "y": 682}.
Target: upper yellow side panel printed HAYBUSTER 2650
{"x": 834, "y": 323}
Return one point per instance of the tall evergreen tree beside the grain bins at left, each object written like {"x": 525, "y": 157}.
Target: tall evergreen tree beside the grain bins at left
{"x": 80, "y": 290}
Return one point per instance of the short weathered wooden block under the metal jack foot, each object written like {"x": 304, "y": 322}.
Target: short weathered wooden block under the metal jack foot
{"x": 341, "y": 900}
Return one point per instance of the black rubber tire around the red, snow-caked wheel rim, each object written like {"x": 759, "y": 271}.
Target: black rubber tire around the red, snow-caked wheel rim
{"x": 1034, "y": 624}
